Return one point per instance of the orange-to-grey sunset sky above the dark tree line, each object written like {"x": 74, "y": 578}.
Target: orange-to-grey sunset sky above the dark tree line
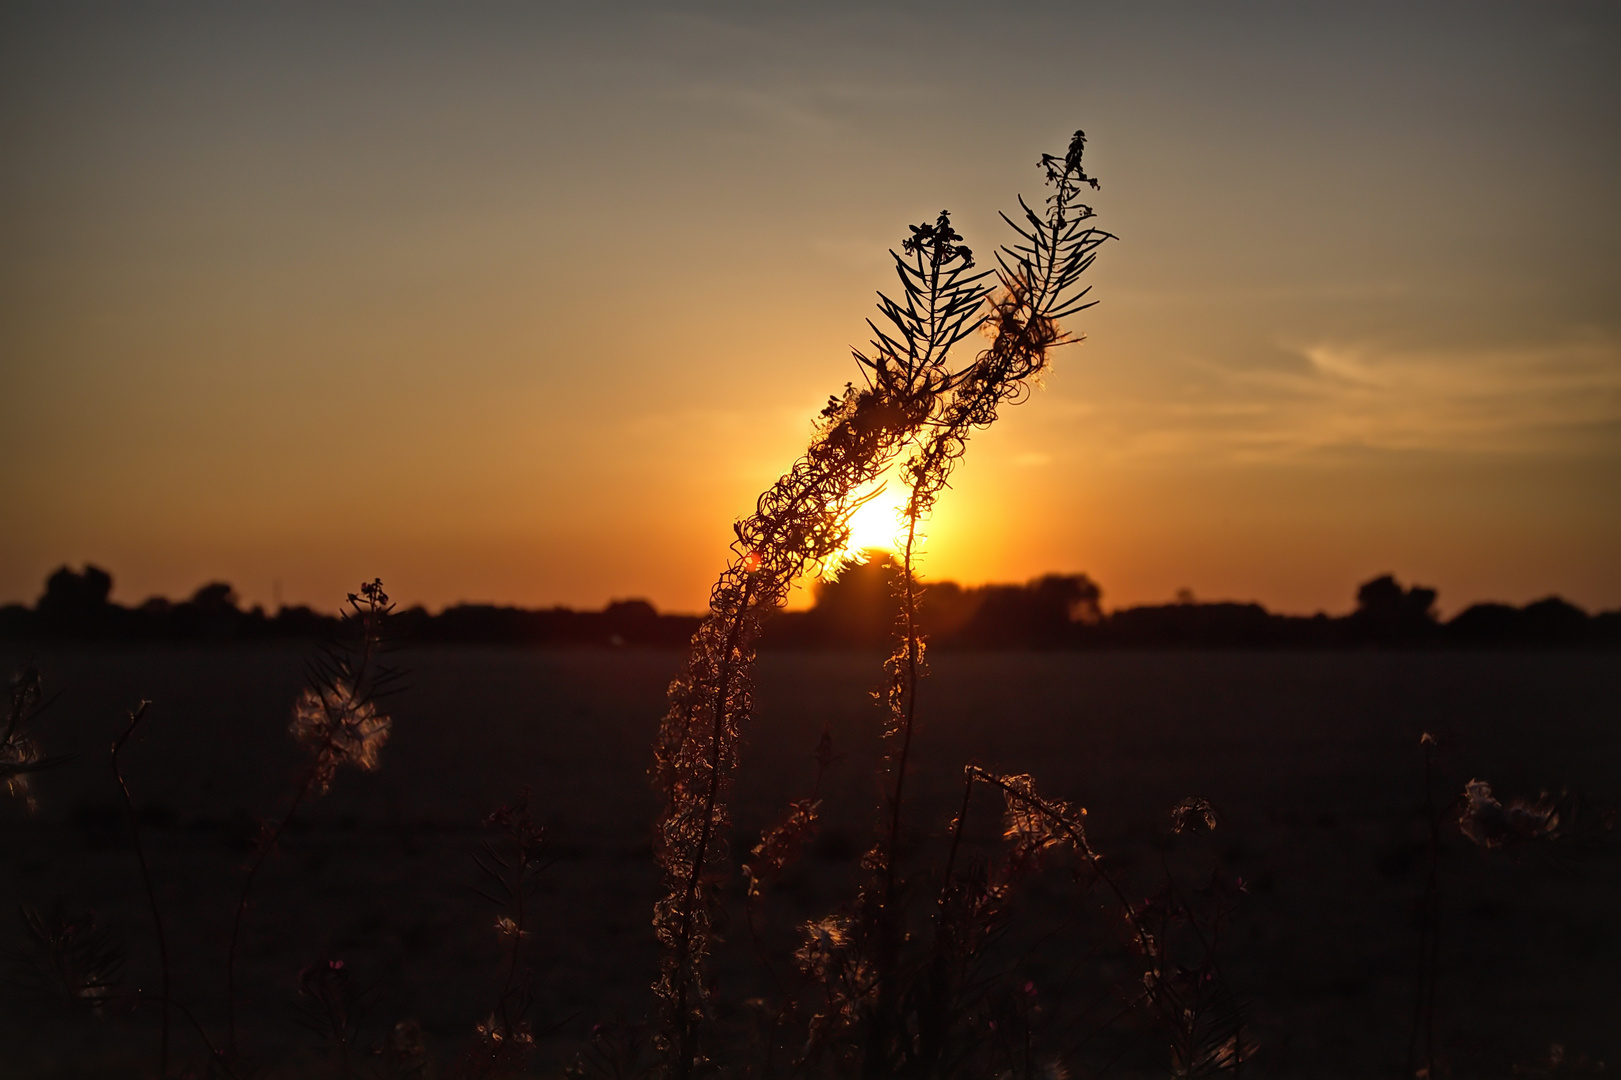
{"x": 528, "y": 302}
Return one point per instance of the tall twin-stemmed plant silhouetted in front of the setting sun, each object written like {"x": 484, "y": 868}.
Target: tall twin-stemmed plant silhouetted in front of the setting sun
{"x": 918, "y": 400}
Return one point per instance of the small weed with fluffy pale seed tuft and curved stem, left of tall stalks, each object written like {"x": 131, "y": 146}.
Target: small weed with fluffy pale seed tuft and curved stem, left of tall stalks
{"x": 338, "y": 722}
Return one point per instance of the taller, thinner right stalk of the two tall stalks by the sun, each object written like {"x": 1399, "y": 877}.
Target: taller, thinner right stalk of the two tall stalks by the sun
{"x": 1038, "y": 283}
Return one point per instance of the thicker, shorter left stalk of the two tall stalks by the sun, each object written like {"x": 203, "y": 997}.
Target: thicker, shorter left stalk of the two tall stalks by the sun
{"x": 800, "y": 523}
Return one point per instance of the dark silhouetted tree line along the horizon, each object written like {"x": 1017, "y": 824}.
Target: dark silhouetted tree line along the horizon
{"x": 858, "y": 611}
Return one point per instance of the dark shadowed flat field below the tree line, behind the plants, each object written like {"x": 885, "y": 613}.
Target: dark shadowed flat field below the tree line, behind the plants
{"x": 1312, "y": 758}
